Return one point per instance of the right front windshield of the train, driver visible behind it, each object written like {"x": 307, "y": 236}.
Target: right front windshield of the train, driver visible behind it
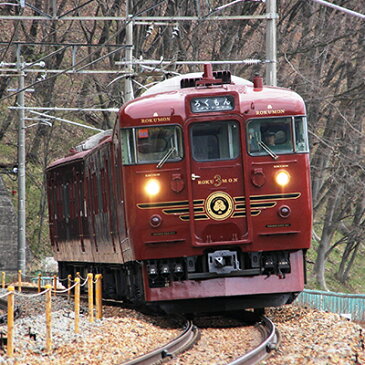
{"x": 277, "y": 136}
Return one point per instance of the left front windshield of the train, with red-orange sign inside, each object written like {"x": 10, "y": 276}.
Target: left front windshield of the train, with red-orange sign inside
{"x": 157, "y": 144}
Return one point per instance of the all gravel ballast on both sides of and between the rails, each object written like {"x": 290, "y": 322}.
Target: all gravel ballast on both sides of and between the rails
{"x": 307, "y": 337}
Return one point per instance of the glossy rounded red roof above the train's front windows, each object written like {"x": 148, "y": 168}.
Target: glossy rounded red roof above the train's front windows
{"x": 166, "y": 101}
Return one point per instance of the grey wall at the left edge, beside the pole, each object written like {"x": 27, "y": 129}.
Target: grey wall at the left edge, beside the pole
{"x": 8, "y": 232}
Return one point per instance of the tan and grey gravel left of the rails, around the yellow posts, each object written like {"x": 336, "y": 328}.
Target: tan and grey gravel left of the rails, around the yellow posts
{"x": 121, "y": 335}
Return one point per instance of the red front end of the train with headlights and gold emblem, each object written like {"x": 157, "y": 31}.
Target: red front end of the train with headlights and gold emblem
{"x": 217, "y": 189}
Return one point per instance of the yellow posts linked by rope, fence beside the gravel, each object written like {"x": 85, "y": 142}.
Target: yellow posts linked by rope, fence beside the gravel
{"x": 72, "y": 285}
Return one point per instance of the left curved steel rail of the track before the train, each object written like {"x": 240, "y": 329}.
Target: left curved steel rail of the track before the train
{"x": 186, "y": 339}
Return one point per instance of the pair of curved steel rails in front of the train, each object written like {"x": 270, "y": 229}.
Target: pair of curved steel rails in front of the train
{"x": 269, "y": 341}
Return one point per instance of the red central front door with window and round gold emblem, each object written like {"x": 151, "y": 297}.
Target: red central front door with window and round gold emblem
{"x": 217, "y": 183}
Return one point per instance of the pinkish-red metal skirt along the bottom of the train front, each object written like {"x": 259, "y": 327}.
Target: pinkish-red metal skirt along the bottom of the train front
{"x": 231, "y": 293}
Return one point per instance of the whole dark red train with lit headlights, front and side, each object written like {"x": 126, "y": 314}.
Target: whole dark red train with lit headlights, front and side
{"x": 198, "y": 200}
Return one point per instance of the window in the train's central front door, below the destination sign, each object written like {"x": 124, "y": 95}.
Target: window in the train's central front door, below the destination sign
{"x": 215, "y": 141}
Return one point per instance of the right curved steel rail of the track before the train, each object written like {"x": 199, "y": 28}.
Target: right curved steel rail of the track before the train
{"x": 270, "y": 342}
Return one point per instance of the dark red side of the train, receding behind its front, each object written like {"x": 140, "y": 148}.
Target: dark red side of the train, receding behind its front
{"x": 85, "y": 224}
